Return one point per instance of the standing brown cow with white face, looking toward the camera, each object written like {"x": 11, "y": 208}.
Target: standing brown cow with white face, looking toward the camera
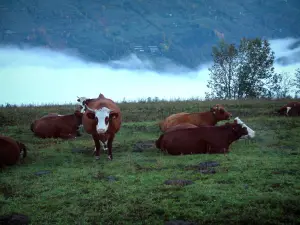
{"x": 102, "y": 119}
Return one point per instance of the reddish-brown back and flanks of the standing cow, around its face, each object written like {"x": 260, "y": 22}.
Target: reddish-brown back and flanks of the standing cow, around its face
{"x": 90, "y": 125}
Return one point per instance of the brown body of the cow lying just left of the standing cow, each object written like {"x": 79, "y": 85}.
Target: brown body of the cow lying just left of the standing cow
{"x": 58, "y": 126}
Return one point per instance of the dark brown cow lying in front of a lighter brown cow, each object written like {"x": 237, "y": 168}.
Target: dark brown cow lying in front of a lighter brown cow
{"x": 201, "y": 140}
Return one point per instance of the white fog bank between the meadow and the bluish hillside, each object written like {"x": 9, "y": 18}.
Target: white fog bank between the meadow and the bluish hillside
{"x": 41, "y": 76}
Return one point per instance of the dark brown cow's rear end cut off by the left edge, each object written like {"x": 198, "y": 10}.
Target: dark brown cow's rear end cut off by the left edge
{"x": 10, "y": 151}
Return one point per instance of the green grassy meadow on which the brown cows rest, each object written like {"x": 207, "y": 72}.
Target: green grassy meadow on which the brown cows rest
{"x": 60, "y": 182}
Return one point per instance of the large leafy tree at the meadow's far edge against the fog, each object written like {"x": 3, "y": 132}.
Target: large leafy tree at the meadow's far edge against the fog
{"x": 243, "y": 72}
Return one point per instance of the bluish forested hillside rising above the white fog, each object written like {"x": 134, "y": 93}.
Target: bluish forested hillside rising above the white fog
{"x": 182, "y": 30}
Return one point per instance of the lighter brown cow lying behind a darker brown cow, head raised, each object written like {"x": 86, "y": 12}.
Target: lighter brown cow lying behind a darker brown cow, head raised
{"x": 212, "y": 117}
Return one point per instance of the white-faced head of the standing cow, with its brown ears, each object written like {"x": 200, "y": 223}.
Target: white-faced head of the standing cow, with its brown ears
{"x": 102, "y": 116}
